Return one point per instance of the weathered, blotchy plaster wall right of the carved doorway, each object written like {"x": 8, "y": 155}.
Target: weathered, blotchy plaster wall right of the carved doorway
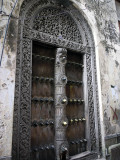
{"x": 109, "y": 64}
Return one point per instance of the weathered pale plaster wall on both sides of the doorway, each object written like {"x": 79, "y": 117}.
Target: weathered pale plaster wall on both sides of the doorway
{"x": 102, "y": 18}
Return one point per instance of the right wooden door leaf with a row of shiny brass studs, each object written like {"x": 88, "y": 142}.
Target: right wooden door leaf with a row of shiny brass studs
{"x": 75, "y": 108}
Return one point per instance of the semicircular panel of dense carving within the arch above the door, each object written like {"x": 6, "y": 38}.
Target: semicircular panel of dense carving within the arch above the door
{"x": 57, "y": 23}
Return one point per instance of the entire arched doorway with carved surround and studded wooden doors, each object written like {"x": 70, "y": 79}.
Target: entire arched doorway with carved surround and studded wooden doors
{"x": 55, "y": 115}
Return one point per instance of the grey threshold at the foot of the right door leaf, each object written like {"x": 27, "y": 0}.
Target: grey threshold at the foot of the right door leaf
{"x": 86, "y": 155}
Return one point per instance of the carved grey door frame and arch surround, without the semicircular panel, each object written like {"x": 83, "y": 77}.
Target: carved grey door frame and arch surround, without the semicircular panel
{"x": 22, "y": 110}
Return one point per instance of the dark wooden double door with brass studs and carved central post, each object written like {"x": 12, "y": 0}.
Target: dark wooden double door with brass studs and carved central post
{"x": 57, "y": 107}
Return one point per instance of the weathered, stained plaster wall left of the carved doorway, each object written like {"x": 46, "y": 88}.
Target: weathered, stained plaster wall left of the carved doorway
{"x": 7, "y": 77}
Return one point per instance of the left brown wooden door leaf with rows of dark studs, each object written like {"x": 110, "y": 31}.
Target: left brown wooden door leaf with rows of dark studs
{"x": 42, "y": 106}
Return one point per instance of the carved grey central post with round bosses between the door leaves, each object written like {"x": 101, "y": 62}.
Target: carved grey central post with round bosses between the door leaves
{"x": 61, "y": 122}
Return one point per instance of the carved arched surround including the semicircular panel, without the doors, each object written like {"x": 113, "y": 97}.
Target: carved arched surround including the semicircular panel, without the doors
{"x": 35, "y": 19}
